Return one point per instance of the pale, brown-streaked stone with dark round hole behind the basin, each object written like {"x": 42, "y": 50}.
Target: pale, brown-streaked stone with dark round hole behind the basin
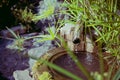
{"x": 70, "y": 33}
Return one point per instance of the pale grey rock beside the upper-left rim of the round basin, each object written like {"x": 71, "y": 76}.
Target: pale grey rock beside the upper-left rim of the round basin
{"x": 38, "y": 51}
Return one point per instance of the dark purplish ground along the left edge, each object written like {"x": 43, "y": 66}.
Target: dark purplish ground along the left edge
{"x": 11, "y": 60}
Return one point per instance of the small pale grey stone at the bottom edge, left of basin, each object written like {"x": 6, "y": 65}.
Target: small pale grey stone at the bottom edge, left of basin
{"x": 22, "y": 75}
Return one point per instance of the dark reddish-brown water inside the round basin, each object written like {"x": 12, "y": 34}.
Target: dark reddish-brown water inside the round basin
{"x": 90, "y": 62}
